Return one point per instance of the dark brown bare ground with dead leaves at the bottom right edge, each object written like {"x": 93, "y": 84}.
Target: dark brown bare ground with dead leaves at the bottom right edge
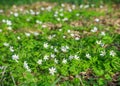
{"x": 90, "y": 75}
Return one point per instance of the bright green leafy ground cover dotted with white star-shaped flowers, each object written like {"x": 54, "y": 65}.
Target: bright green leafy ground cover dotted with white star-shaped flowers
{"x": 88, "y": 63}
